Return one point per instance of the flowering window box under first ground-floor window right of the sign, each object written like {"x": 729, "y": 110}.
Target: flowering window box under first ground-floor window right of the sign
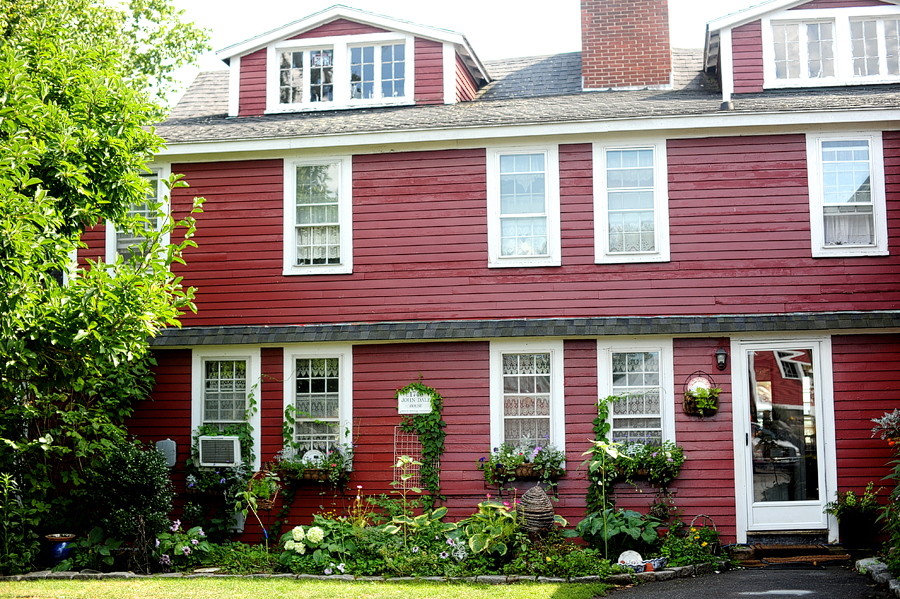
{"x": 508, "y": 463}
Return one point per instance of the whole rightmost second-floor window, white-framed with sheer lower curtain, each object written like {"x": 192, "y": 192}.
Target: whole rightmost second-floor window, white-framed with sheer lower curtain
{"x": 847, "y": 201}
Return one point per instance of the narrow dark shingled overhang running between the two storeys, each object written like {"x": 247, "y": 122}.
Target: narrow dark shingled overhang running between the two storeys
{"x": 453, "y": 330}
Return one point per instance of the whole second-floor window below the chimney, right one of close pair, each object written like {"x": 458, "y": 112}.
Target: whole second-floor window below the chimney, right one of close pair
{"x": 631, "y": 212}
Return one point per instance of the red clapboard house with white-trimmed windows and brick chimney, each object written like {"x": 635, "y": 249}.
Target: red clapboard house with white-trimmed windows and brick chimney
{"x": 381, "y": 199}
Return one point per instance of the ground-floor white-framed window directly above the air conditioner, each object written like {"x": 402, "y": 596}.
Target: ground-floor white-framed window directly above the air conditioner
{"x": 225, "y": 387}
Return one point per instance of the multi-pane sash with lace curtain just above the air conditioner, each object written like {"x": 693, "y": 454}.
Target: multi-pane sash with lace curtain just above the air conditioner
{"x": 224, "y": 391}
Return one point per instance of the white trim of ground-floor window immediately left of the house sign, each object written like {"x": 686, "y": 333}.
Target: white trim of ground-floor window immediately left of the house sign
{"x": 344, "y": 353}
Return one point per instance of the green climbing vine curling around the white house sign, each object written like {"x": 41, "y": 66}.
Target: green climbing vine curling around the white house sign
{"x": 430, "y": 429}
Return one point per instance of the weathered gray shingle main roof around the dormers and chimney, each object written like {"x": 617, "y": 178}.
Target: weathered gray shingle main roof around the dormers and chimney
{"x": 525, "y": 92}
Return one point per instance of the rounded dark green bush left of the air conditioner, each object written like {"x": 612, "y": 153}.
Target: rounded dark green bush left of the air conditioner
{"x": 131, "y": 483}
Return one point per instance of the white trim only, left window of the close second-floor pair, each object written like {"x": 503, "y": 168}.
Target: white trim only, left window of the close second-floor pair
{"x": 554, "y": 244}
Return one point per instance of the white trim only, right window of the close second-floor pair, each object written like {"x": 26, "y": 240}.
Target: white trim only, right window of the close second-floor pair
{"x": 660, "y": 201}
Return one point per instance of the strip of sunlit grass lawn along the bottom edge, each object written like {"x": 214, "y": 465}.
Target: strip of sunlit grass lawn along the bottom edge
{"x": 209, "y": 588}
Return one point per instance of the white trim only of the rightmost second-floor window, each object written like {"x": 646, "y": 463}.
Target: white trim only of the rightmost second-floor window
{"x": 816, "y": 207}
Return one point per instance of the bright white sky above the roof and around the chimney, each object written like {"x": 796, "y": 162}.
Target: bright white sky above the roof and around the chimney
{"x": 495, "y": 28}
